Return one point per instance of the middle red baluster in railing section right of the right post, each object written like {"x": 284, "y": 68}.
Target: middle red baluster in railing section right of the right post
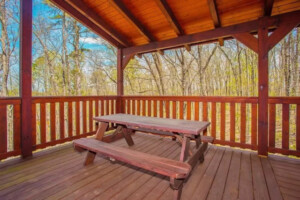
{"x": 285, "y": 125}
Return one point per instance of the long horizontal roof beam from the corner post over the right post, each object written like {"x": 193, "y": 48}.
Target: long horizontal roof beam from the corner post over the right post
{"x": 214, "y": 34}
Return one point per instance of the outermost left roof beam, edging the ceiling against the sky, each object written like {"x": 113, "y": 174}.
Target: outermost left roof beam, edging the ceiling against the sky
{"x": 63, "y": 5}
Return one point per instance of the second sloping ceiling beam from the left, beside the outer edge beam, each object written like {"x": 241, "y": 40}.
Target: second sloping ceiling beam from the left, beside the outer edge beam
{"x": 95, "y": 18}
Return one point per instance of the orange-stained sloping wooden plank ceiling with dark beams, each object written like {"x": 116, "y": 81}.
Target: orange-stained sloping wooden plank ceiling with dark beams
{"x": 127, "y": 23}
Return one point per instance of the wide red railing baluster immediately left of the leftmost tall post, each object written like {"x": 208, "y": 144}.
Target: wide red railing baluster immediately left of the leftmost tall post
{"x": 16, "y": 130}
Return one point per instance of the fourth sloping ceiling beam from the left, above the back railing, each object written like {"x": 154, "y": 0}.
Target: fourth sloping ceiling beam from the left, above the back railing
{"x": 167, "y": 12}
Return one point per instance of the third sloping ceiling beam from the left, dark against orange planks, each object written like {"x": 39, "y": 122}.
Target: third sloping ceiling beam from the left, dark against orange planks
{"x": 119, "y": 5}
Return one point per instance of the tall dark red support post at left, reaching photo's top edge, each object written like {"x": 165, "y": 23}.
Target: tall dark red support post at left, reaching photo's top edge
{"x": 25, "y": 76}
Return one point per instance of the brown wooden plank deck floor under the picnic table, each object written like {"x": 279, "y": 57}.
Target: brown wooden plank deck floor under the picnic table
{"x": 225, "y": 174}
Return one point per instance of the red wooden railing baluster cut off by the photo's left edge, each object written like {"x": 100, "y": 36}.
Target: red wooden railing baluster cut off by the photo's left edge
{"x": 3, "y": 128}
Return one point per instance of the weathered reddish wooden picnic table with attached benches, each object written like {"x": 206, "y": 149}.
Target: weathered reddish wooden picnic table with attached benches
{"x": 182, "y": 130}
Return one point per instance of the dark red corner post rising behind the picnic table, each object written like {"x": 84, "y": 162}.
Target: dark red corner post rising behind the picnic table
{"x": 120, "y": 82}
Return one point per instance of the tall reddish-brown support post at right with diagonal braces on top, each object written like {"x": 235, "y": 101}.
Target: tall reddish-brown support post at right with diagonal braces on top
{"x": 263, "y": 91}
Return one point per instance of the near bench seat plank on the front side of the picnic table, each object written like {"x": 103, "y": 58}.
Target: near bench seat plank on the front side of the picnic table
{"x": 164, "y": 166}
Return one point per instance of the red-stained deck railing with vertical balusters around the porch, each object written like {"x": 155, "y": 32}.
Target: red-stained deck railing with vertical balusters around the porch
{"x": 234, "y": 120}
